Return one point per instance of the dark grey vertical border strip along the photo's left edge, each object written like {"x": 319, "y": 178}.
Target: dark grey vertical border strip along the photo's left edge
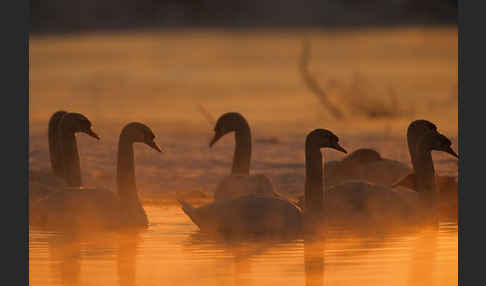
{"x": 15, "y": 144}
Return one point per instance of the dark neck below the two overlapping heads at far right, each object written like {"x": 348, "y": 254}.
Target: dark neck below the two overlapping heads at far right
{"x": 424, "y": 168}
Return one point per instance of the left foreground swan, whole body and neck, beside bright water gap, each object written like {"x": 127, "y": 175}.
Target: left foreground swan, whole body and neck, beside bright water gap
{"x": 99, "y": 206}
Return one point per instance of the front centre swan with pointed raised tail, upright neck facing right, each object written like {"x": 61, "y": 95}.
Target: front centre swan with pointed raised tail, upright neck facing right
{"x": 260, "y": 214}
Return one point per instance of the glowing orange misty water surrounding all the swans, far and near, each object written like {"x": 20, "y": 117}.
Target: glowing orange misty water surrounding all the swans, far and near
{"x": 160, "y": 78}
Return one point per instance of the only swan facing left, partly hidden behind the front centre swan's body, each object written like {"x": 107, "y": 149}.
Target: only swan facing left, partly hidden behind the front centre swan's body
{"x": 240, "y": 182}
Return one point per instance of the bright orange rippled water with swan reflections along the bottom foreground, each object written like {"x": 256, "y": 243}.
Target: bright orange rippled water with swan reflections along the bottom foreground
{"x": 173, "y": 252}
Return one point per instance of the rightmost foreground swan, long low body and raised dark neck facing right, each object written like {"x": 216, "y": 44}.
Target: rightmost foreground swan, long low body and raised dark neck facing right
{"x": 369, "y": 200}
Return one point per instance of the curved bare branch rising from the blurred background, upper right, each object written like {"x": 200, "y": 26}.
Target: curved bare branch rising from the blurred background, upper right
{"x": 312, "y": 84}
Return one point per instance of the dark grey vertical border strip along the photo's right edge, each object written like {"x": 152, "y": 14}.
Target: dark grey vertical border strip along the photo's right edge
{"x": 472, "y": 62}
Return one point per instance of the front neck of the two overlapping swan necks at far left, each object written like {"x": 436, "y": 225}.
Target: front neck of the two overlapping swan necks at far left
{"x": 69, "y": 155}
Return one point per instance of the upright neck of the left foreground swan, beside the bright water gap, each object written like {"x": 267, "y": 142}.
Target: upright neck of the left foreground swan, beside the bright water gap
{"x": 125, "y": 173}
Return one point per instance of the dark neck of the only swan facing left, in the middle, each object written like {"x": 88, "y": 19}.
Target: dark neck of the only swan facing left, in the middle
{"x": 242, "y": 154}
